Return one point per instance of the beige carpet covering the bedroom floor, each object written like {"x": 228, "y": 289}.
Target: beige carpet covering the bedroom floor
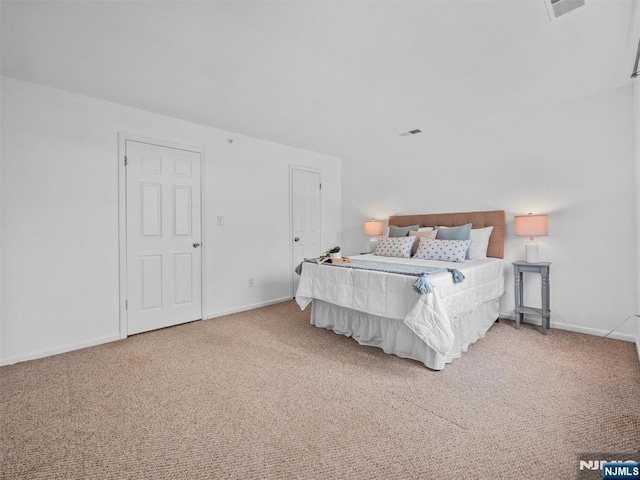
{"x": 263, "y": 394}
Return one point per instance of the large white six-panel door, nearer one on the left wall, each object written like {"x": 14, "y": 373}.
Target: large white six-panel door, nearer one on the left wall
{"x": 163, "y": 236}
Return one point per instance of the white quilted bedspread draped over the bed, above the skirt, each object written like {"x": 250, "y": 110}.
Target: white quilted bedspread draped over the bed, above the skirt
{"x": 391, "y": 295}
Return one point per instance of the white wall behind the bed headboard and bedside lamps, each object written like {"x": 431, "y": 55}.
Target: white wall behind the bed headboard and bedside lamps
{"x": 573, "y": 161}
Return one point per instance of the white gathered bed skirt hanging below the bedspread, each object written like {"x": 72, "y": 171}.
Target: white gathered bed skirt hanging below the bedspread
{"x": 393, "y": 336}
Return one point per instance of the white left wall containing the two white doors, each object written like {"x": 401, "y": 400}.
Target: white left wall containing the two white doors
{"x": 60, "y": 223}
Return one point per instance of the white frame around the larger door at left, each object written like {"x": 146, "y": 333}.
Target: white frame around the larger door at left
{"x": 122, "y": 218}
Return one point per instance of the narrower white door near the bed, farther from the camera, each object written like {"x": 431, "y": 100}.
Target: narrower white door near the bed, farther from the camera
{"x": 305, "y": 213}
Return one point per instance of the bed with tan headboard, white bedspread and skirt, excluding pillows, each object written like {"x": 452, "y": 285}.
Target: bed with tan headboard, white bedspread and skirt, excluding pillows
{"x": 384, "y": 310}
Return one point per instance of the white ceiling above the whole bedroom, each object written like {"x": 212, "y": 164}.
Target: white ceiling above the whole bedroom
{"x": 329, "y": 76}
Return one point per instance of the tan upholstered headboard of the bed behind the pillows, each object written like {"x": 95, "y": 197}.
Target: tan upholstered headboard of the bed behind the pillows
{"x": 496, "y": 218}
